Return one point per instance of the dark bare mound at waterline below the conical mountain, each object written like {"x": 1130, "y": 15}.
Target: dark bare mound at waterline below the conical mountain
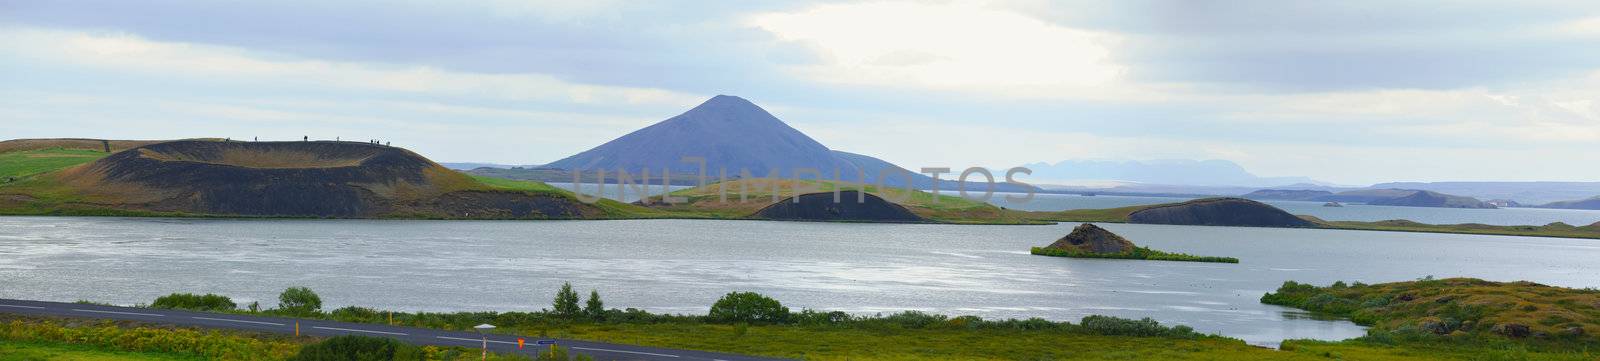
{"x": 822, "y": 207}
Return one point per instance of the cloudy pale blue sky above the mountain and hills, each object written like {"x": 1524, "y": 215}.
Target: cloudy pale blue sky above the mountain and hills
{"x": 1342, "y": 92}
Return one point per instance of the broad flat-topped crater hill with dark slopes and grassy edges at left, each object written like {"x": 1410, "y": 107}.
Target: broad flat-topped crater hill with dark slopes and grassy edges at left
{"x": 297, "y": 180}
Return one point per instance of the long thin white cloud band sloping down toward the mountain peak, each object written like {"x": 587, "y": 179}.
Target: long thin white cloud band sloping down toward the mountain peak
{"x": 130, "y": 54}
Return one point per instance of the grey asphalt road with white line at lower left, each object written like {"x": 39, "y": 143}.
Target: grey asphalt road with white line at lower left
{"x": 497, "y": 343}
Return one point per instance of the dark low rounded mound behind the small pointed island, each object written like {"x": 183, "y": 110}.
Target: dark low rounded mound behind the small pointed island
{"x": 1220, "y": 212}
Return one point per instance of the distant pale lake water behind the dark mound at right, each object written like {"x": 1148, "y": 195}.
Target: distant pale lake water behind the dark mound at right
{"x": 1353, "y": 212}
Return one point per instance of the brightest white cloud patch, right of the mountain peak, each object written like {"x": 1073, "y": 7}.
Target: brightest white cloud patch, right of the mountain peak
{"x": 958, "y": 46}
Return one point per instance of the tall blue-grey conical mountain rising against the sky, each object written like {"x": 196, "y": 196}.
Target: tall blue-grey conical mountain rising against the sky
{"x": 729, "y": 132}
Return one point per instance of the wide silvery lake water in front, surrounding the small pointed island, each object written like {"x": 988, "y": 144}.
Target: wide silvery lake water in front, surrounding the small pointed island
{"x": 684, "y": 266}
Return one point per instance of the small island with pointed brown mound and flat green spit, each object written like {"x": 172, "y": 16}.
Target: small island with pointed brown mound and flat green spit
{"x": 1092, "y": 242}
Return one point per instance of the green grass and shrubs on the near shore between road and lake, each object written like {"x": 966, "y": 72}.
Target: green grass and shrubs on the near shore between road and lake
{"x": 758, "y": 325}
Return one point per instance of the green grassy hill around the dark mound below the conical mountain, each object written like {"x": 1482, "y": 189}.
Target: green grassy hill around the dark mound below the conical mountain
{"x": 722, "y": 200}
